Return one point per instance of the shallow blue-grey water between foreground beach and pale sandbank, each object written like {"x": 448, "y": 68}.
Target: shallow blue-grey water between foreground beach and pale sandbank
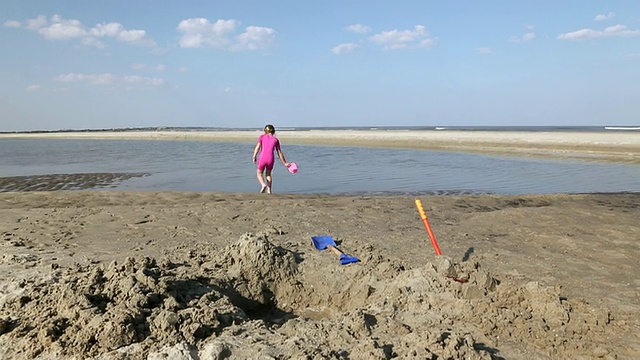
{"x": 226, "y": 167}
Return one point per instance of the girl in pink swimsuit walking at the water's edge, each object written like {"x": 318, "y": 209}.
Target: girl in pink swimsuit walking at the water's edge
{"x": 267, "y": 144}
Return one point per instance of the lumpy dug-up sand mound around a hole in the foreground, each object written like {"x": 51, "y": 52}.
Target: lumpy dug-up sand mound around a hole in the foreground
{"x": 254, "y": 299}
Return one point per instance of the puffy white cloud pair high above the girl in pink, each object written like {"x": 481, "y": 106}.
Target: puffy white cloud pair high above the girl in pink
{"x": 200, "y": 32}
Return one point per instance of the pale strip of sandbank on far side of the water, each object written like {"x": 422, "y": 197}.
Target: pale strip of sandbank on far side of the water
{"x": 611, "y": 146}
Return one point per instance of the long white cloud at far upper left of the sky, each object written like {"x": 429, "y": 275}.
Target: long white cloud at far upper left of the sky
{"x": 58, "y": 28}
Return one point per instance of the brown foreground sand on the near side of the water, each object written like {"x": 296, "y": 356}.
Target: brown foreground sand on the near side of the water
{"x": 117, "y": 275}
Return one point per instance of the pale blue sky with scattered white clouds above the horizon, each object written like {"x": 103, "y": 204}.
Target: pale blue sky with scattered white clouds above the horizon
{"x": 83, "y": 64}
